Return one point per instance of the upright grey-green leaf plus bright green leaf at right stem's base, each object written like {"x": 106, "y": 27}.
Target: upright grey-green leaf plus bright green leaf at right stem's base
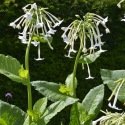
{"x": 83, "y": 113}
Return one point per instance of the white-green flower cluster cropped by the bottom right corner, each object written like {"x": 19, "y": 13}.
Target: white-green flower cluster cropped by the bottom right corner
{"x": 110, "y": 119}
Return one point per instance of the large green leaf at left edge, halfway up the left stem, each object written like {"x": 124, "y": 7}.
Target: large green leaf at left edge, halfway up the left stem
{"x": 9, "y": 67}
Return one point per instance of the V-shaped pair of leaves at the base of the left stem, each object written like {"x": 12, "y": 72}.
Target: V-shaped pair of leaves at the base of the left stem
{"x": 42, "y": 114}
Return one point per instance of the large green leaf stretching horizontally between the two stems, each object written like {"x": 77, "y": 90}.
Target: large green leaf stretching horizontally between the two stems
{"x": 51, "y": 90}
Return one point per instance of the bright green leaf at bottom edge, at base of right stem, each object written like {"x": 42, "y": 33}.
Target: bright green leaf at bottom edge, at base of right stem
{"x": 78, "y": 115}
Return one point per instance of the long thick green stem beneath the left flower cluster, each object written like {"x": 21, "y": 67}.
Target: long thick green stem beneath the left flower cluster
{"x": 29, "y": 92}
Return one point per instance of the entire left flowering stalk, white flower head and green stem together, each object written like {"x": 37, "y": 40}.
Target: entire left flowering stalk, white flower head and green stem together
{"x": 38, "y": 27}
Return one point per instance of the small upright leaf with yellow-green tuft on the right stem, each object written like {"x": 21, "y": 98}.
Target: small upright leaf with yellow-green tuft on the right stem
{"x": 69, "y": 84}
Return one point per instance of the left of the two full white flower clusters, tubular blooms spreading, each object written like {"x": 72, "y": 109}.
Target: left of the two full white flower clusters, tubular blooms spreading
{"x": 36, "y": 23}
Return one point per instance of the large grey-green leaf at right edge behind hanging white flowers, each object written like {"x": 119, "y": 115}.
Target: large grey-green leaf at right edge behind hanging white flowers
{"x": 110, "y": 76}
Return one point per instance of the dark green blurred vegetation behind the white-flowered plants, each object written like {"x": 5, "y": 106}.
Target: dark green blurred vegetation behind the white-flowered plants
{"x": 56, "y": 67}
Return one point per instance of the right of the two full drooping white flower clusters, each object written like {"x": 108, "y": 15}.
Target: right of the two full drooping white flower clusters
{"x": 86, "y": 30}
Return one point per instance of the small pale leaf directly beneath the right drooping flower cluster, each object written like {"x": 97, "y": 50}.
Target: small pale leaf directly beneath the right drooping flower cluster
{"x": 89, "y": 58}
